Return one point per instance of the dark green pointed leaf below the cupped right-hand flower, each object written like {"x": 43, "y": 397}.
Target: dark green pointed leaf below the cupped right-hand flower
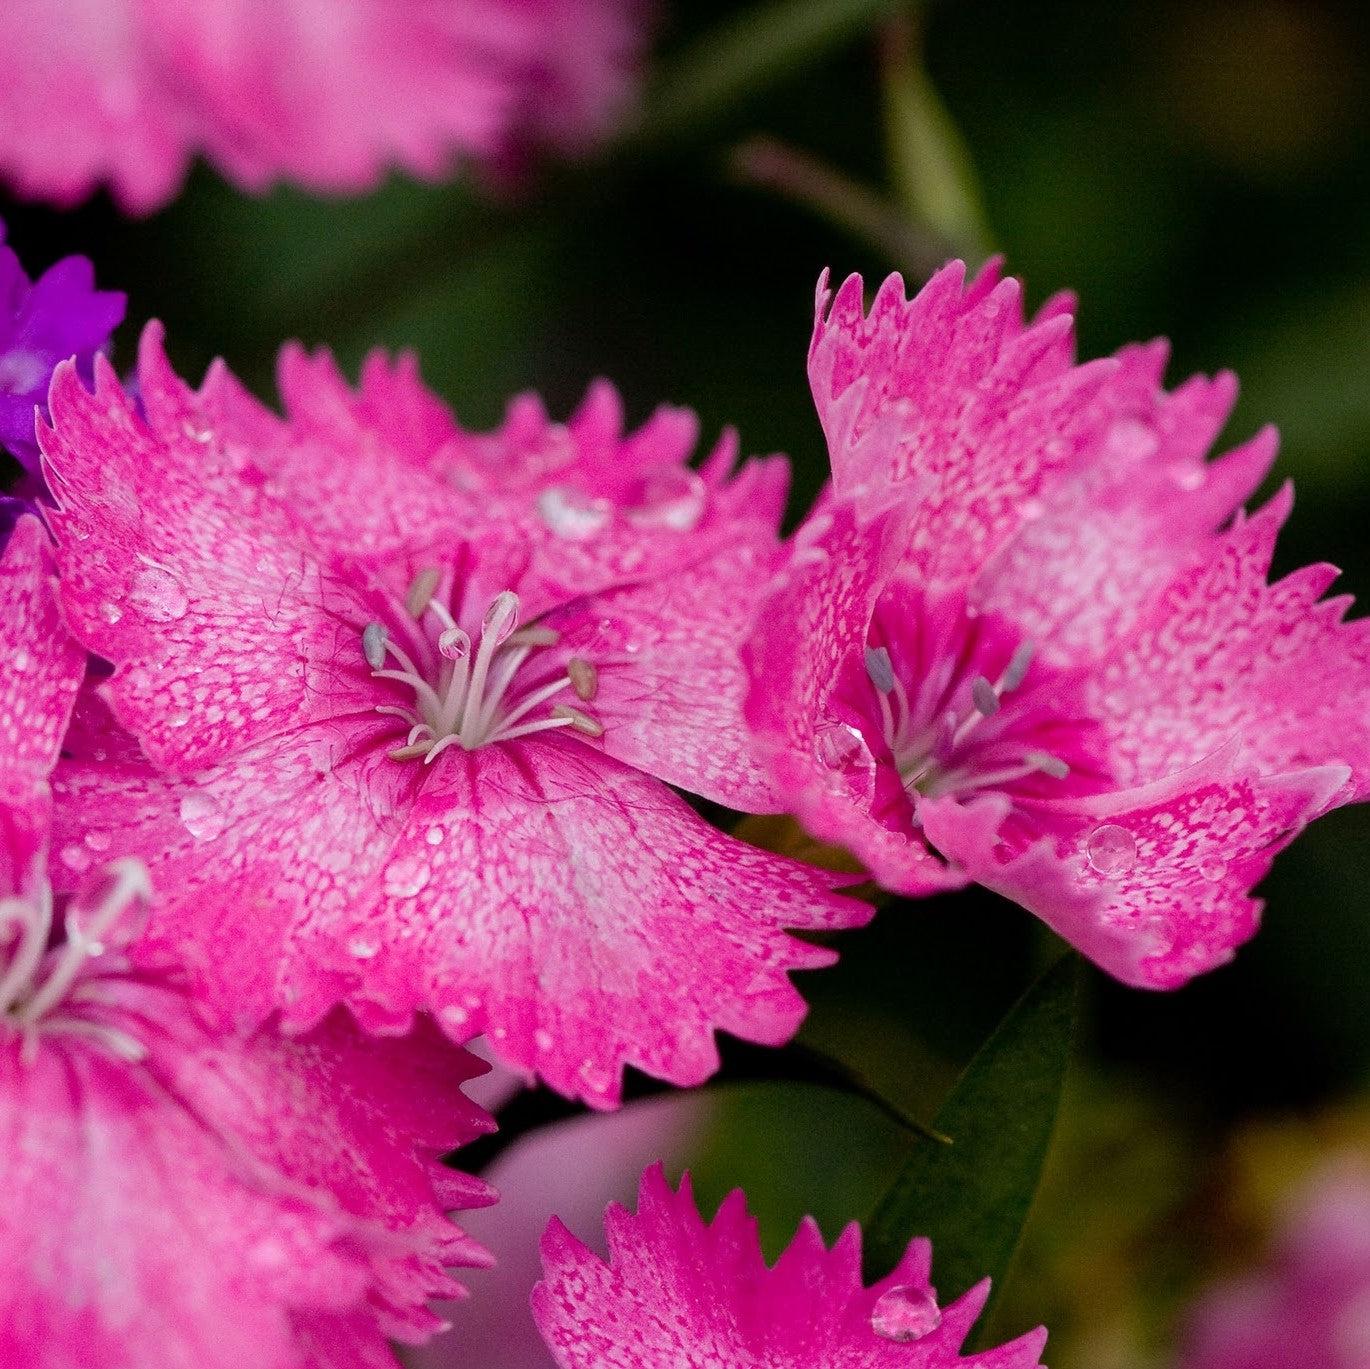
{"x": 972, "y": 1197}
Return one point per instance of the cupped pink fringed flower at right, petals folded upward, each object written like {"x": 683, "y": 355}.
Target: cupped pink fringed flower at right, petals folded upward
{"x": 1030, "y": 641}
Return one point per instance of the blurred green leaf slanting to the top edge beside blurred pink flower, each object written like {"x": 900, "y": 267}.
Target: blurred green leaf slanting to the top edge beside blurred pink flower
{"x": 750, "y": 51}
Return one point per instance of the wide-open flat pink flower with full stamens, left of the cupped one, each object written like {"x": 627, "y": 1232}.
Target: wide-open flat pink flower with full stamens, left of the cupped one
{"x": 390, "y": 754}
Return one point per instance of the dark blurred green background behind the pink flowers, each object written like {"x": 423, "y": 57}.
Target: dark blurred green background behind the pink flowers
{"x": 1194, "y": 169}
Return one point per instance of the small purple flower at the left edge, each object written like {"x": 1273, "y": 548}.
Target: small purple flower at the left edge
{"x": 43, "y": 323}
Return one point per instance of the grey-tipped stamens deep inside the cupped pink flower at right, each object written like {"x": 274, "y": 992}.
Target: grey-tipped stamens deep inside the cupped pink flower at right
{"x": 953, "y": 748}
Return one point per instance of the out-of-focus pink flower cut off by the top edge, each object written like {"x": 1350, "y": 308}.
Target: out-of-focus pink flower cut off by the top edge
{"x": 332, "y": 95}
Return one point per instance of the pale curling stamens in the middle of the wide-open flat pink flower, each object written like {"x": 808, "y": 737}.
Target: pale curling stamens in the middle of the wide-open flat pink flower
{"x": 476, "y": 694}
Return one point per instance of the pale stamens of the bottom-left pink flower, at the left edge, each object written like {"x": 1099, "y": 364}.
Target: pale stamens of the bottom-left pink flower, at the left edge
{"x": 43, "y": 987}
